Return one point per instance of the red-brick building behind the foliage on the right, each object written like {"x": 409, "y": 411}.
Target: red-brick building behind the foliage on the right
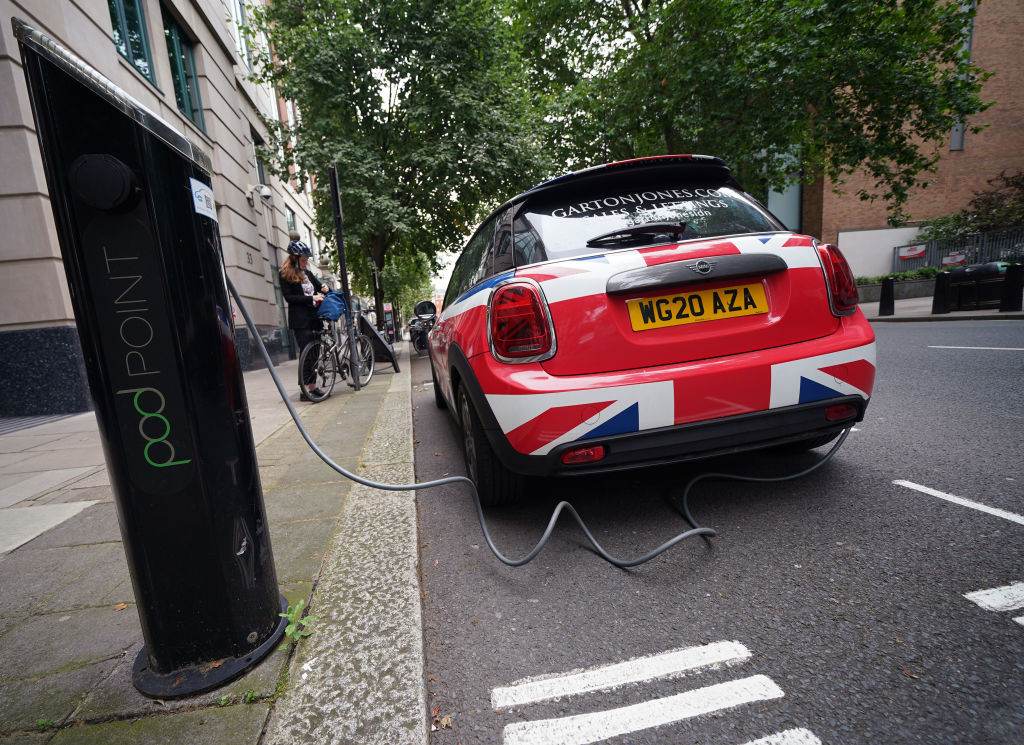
{"x": 967, "y": 161}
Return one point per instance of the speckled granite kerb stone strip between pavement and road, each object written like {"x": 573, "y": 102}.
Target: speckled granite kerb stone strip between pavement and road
{"x": 360, "y": 678}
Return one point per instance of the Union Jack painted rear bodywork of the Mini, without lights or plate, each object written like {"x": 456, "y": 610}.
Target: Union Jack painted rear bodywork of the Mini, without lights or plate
{"x": 662, "y": 395}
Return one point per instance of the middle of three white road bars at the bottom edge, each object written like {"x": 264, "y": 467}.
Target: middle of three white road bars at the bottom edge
{"x": 599, "y": 726}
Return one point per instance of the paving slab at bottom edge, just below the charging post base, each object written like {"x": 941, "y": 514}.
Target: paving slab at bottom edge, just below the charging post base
{"x": 238, "y": 725}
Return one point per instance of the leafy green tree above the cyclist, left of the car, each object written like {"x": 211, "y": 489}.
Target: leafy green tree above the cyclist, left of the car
{"x": 424, "y": 108}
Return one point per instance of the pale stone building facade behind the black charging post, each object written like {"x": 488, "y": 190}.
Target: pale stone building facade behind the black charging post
{"x": 186, "y": 61}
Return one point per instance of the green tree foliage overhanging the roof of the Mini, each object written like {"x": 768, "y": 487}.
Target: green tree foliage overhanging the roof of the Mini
{"x": 776, "y": 87}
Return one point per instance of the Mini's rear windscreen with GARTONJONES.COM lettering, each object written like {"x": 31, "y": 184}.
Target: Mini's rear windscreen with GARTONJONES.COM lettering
{"x": 630, "y": 211}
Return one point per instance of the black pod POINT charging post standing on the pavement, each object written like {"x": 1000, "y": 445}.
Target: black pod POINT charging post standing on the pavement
{"x": 141, "y": 245}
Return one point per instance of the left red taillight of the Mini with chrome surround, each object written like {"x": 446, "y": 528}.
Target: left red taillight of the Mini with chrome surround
{"x": 519, "y": 324}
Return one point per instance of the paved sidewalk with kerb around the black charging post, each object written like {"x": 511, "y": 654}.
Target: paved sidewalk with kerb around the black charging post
{"x": 69, "y": 631}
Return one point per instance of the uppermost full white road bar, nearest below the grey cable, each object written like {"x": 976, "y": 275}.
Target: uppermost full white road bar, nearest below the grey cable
{"x": 667, "y": 665}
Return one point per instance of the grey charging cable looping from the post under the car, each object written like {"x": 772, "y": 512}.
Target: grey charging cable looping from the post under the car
{"x": 681, "y": 505}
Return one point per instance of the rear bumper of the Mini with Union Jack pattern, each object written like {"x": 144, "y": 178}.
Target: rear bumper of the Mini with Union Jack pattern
{"x": 671, "y": 413}
